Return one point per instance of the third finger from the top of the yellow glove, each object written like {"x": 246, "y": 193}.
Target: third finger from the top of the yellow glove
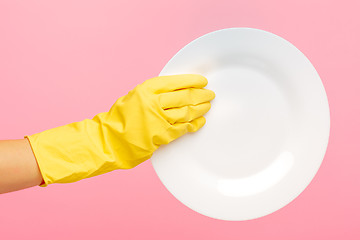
{"x": 186, "y": 113}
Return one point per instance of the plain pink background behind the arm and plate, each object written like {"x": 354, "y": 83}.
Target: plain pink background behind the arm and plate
{"x": 64, "y": 61}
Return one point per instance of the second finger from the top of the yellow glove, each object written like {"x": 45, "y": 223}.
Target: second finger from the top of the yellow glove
{"x": 189, "y": 96}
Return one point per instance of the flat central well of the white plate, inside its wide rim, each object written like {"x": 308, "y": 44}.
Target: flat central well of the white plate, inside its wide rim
{"x": 248, "y": 123}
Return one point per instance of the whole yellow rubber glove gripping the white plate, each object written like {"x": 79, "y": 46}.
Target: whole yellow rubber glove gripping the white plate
{"x": 155, "y": 112}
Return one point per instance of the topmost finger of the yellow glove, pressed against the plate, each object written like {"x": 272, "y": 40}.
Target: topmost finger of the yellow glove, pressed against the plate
{"x": 174, "y": 82}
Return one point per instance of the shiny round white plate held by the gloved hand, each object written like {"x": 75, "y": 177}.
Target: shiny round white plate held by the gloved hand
{"x": 266, "y": 133}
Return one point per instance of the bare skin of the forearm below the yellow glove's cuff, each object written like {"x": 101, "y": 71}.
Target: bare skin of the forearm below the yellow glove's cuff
{"x": 18, "y": 166}
